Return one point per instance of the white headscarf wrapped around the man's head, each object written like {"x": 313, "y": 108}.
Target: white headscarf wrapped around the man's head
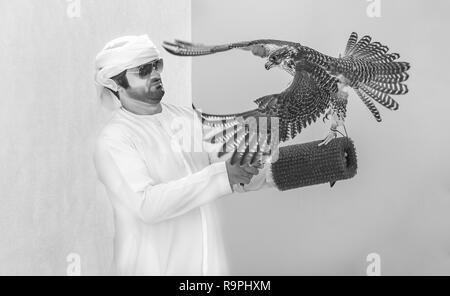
{"x": 118, "y": 55}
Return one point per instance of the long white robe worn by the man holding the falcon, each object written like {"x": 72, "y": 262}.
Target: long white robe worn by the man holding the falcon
{"x": 163, "y": 197}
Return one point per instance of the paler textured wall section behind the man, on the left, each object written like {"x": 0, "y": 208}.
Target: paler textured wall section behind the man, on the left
{"x": 51, "y": 202}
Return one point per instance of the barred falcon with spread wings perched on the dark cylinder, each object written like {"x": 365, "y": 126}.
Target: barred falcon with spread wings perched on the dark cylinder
{"x": 317, "y": 89}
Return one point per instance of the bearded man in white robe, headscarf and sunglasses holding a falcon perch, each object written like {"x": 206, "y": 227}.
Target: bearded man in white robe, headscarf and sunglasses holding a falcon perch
{"x": 163, "y": 198}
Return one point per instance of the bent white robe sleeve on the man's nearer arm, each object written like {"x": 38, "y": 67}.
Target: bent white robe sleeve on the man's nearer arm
{"x": 125, "y": 175}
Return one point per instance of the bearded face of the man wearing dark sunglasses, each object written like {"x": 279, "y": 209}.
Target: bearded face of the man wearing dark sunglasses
{"x": 145, "y": 83}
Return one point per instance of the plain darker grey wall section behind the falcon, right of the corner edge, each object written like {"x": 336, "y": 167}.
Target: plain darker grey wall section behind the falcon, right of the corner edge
{"x": 398, "y": 205}
